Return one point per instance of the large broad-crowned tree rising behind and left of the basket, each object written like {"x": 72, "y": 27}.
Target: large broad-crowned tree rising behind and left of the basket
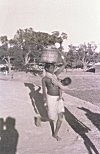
{"x": 32, "y": 43}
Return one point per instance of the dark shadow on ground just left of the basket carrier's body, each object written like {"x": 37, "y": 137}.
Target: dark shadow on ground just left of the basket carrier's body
{"x": 37, "y": 101}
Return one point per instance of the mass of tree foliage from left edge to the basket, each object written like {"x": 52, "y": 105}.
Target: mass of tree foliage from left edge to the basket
{"x": 26, "y": 46}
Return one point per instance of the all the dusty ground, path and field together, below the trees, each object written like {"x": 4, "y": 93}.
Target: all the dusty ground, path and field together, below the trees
{"x": 80, "y": 130}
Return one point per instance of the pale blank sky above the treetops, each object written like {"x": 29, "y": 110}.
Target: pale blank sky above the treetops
{"x": 80, "y": 19}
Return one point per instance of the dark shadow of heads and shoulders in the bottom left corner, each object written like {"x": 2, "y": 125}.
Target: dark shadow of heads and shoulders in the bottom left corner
{"x": 8, "y": 136}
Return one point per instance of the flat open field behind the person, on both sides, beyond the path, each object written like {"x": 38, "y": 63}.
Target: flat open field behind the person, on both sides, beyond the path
{"x": 87, "y": 85}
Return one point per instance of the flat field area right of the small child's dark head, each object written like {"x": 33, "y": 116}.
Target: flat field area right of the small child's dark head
{"x": 87, "y": 86}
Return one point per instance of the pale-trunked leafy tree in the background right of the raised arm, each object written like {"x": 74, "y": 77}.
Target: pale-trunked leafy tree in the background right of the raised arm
{"x": 83, "y": 53}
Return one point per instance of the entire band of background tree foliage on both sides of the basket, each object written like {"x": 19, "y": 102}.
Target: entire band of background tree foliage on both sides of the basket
{"x": 27, "y": 45}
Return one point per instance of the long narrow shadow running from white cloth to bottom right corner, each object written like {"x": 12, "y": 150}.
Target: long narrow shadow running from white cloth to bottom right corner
{"x": 80, "y": 129}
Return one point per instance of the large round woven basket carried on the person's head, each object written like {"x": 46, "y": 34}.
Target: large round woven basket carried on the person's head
{"x": 49, "y": 56}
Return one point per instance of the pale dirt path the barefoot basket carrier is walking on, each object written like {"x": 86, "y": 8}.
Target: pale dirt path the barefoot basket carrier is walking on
{"x": 15, "y": 102}
